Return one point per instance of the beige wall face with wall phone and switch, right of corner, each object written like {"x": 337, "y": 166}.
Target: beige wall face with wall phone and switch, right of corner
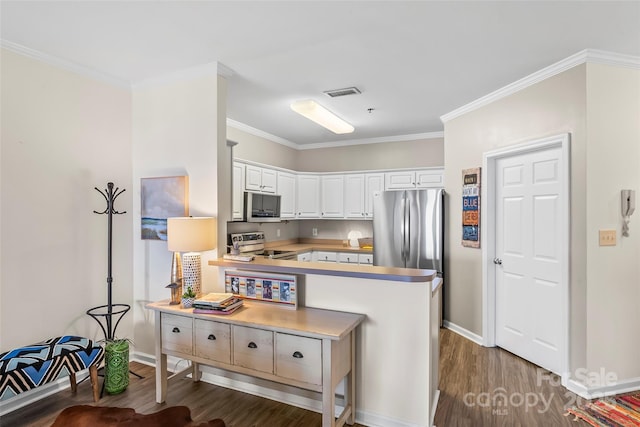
{"x": 613, "y": 273}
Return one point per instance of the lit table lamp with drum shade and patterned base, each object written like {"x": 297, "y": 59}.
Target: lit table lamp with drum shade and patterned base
{"x": 191, "y": 235}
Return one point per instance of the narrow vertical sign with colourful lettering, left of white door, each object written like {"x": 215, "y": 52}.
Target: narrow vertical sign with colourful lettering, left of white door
{"x": 471, "y": 207}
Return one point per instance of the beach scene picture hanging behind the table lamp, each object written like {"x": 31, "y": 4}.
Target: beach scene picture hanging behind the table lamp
{"x": 162, "y": 198}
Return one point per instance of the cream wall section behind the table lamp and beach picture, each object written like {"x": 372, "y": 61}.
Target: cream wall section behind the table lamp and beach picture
{"x": 175, "y": 132}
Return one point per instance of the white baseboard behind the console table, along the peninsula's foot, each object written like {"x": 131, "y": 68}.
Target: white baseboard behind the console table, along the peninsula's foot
{"x": 280, "y": 394}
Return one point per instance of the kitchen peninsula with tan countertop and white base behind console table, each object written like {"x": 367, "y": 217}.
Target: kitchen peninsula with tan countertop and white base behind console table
{"x": 397, "y": 343}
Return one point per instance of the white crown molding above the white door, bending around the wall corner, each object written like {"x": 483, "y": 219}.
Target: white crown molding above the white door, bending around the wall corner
{"x": 582, "y": 57}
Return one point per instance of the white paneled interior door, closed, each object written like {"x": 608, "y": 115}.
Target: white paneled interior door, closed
{"x": 528, "y": 256}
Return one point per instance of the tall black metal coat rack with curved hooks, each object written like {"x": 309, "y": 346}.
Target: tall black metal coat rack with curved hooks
{"x": 106, "y": 314}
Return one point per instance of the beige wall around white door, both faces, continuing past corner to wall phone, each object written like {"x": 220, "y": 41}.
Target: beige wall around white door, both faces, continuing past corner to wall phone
{"x": 599, "y": 106}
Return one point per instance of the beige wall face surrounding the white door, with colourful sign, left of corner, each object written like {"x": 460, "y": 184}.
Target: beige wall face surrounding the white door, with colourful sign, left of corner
{"x": 553, "y": 106}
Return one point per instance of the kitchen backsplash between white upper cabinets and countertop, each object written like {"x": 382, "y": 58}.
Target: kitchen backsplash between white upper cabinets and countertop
{"x": 326, "y": 229}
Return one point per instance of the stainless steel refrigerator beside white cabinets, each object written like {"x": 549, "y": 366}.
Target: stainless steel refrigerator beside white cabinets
{"x": 408, "y": 229}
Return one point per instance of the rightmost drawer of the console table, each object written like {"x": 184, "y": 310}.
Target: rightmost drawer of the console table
{"x": 299, "y": 358}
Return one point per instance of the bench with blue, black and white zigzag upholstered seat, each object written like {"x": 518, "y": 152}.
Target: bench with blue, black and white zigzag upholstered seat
{"x": 25, "y": 368}
